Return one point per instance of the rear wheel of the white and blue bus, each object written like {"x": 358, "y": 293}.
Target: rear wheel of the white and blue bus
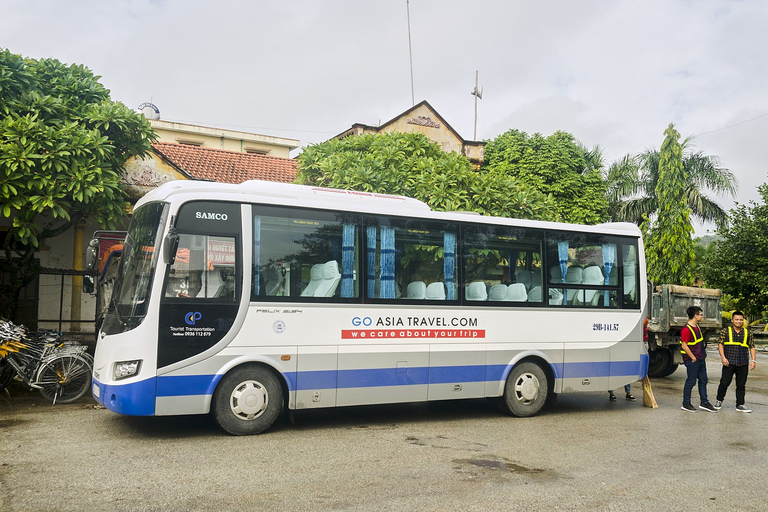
{"x": 526, "y": 390}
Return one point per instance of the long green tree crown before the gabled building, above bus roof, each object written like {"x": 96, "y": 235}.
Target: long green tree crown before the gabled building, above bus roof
{"x": 411, "y": 165}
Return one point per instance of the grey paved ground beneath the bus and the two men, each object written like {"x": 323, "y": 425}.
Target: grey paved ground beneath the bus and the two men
{"x": 586, "y": 454}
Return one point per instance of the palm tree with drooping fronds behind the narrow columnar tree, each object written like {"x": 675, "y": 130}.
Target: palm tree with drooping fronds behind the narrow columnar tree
{"x": 632, "y": 185}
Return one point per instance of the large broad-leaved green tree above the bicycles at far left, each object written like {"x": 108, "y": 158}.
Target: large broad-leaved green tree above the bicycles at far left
{"x": 62, "y": 146}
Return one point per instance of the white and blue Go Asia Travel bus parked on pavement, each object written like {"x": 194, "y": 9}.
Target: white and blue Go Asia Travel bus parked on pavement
{"x": 248, "y": 300}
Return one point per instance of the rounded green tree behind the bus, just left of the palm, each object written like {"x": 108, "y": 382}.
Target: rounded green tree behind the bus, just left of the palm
{"x": 557, "y": 166}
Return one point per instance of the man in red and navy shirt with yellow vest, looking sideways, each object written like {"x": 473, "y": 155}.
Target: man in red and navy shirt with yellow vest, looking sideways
{"x": 695, "y": 360}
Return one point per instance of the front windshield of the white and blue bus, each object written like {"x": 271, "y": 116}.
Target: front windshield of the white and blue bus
{"x": 137, "y": 267}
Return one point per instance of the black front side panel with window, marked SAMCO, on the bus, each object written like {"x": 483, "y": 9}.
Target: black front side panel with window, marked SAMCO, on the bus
{"x": 203, "y": 285}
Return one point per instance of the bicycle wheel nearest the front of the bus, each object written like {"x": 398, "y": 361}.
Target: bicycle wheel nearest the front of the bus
{"x": 64, "y": 379}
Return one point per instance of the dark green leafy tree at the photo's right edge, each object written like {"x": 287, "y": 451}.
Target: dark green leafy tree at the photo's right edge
{"x": 739, "y": 263}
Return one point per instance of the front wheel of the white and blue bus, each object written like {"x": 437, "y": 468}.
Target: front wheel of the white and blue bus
{"x": 247, "y": 401}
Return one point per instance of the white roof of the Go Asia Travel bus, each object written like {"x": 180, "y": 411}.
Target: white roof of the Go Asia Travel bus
{"x": 286, "y": 194}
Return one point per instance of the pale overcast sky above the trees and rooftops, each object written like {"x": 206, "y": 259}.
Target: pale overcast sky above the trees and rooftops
{"x": 613, "y": 73}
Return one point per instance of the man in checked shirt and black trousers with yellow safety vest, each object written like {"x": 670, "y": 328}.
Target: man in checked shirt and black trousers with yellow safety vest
{"x": 737, "y": 351}
